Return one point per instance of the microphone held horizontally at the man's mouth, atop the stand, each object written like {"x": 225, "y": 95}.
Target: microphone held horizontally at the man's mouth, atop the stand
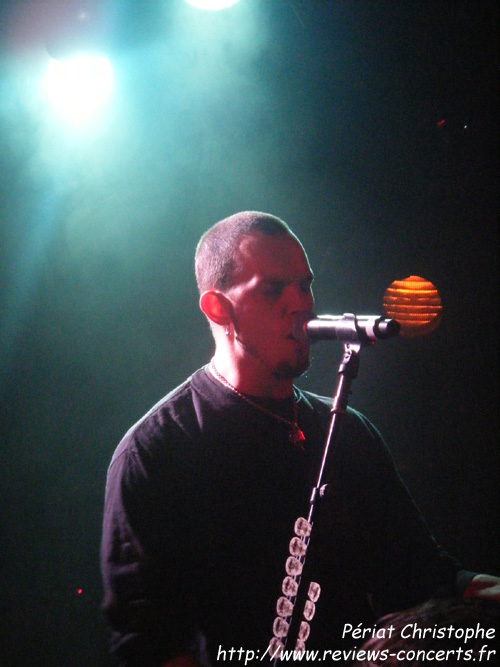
{"x": 346, "y": 328}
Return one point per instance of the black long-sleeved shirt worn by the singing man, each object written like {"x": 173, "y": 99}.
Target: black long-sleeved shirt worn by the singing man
{"x": 201, "y": 500}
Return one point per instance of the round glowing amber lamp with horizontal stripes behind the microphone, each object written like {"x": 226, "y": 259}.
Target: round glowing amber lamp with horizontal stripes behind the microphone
{"x": 415, "y": 303}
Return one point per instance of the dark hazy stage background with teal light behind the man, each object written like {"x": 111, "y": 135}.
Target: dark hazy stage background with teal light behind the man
{"x": 326, "y": 113}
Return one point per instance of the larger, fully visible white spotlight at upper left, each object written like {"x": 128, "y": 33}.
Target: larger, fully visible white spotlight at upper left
{"x": 79, "y": 86}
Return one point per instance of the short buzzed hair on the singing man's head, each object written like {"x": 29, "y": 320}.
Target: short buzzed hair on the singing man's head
{"x": 214, "y": 258}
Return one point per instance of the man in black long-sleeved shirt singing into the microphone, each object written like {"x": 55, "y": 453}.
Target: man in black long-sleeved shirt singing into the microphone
{"x": 204, "y": 491}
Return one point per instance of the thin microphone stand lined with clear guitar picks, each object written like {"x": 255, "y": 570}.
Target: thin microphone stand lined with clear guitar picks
{"x": 288, "y": 622}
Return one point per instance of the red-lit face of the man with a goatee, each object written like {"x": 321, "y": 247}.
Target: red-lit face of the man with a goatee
{"x": 271, "y": 287}
